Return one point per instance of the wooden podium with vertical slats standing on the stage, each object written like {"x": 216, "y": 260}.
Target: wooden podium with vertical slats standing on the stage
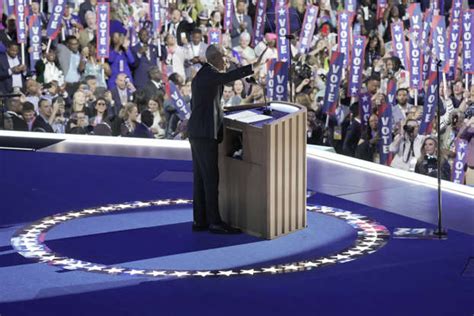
{"x": 264, "y": 192}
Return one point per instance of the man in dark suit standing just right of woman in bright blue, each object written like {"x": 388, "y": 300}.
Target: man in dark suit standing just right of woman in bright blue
{"x": 146, "y": 56}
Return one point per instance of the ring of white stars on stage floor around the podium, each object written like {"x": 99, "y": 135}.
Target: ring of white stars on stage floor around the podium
{"x": 29, "y": 242}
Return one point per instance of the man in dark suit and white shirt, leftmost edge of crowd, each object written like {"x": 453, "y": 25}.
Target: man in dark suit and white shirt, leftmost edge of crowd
{"x": 12, "y": 70}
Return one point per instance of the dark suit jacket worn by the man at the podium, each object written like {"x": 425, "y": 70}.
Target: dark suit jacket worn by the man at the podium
{"x": 207, "y": 87}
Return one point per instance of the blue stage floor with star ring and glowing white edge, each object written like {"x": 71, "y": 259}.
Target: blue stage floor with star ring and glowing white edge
{"x": 102, "y": 226}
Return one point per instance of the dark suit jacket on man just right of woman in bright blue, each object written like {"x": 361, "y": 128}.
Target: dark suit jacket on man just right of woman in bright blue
{"x": 143, "y": 64}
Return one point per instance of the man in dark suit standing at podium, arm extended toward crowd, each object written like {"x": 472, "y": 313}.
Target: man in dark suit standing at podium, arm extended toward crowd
{"x": 205, "y": 133}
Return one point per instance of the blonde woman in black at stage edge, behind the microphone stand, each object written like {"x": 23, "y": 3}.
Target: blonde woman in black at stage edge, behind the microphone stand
{"x": 427, "y": 164}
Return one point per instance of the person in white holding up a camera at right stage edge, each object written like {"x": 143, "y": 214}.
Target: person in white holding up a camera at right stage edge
{"x": 407, "y": 146}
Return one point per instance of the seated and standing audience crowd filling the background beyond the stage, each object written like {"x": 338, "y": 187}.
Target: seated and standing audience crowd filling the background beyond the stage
{"x": 70, "y": 90}
